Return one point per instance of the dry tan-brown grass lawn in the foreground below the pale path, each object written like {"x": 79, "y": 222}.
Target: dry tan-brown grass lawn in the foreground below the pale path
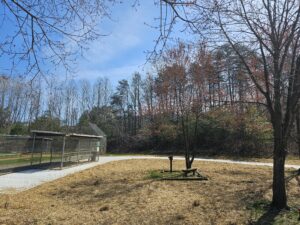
{"x": 119, "y": 193}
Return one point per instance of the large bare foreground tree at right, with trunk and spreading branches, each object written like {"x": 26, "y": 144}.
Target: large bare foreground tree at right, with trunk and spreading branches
{"x": 271, "y": 30}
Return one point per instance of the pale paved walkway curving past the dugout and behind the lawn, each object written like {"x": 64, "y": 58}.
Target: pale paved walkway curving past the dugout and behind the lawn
{"x": 23, "y": 180}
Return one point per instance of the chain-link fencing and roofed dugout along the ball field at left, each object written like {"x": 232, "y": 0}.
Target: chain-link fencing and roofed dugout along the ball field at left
{"x": 17, "y": 152}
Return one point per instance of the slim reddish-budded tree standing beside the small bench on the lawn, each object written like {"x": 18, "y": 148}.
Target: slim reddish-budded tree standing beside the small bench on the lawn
{"x": 180, "y": 90}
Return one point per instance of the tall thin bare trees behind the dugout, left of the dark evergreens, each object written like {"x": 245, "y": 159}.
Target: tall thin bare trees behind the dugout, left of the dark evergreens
{"x": 48, "y": 104}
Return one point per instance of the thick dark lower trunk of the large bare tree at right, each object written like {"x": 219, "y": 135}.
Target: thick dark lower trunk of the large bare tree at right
{"x": 279, "y": 200}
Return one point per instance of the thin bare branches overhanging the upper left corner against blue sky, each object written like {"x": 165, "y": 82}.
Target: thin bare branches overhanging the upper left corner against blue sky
{"x": 43, "y": 32}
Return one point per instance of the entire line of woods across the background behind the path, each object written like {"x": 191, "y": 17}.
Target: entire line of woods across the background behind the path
{"x": 196, "y": 99}
